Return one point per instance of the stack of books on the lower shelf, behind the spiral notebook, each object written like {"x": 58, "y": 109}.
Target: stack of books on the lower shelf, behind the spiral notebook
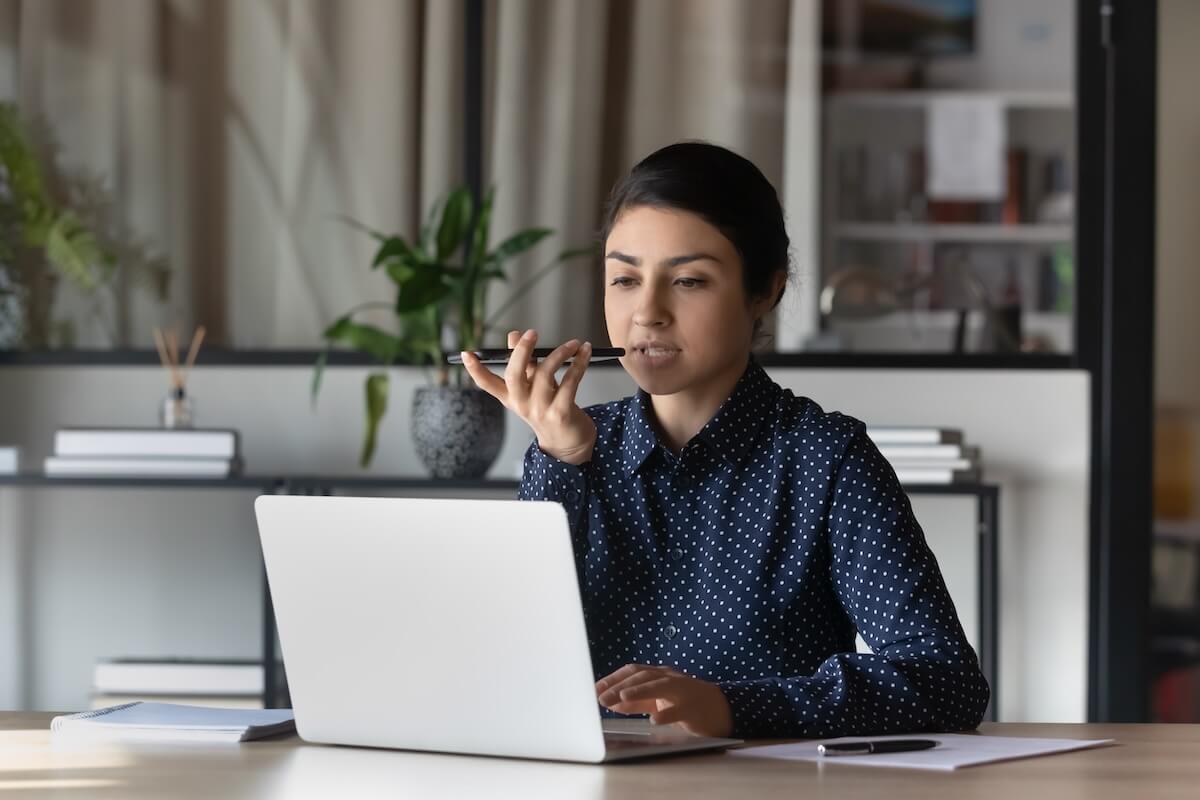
{"x": 231, "y": 684}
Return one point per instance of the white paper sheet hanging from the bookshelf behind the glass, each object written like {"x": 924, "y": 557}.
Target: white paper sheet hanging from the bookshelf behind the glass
{"x": 967, "y": 142}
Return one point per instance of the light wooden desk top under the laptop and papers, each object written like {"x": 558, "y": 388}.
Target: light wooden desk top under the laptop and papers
{"x": 1154, "y": 761}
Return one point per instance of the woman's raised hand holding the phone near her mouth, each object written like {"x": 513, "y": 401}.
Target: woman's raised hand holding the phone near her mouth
{"x": 565, "y": 431}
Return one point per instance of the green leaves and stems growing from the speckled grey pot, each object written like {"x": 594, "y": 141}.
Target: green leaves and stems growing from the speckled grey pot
{"x": 441, "y": 284}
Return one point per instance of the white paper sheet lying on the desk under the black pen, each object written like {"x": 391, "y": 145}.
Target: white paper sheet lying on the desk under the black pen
{"x": 953, "y": 751}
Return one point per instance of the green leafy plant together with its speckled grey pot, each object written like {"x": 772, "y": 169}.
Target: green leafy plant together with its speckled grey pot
{"x": 441, "y": 296}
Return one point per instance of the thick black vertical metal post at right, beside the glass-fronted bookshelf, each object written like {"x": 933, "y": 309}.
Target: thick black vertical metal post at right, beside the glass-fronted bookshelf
{"x": 1118, "y": 115}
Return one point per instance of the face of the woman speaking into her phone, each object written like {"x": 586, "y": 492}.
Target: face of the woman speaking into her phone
{"x": 675, "y": 300}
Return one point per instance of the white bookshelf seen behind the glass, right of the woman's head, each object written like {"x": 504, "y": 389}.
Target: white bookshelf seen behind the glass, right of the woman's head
{"x": 881, "y": 230}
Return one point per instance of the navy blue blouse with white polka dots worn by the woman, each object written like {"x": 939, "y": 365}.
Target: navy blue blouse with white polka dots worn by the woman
{"x": 753, "y": 557}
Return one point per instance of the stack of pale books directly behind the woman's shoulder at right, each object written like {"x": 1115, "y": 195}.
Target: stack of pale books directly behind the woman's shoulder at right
{"x": 928, "y": 455}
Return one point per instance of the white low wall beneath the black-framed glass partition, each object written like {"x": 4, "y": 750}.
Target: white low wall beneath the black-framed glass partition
{"x": 88, "y": 573}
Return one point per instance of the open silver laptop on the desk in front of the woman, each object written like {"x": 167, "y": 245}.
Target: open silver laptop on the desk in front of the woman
{"x": 441, "y": 625}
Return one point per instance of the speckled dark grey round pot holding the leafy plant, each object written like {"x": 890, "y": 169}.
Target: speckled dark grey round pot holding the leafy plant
{"x": 458, "y": 432}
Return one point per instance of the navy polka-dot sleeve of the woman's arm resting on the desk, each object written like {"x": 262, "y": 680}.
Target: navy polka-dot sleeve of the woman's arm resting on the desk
{"x": 922, "y": 673}
